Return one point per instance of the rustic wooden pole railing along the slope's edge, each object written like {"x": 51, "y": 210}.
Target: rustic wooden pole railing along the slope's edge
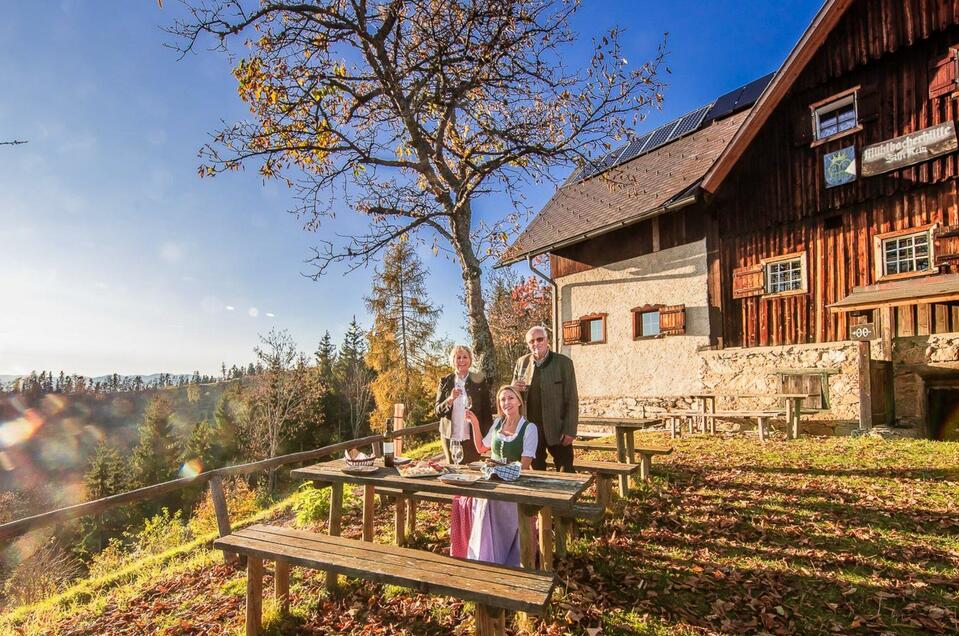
{"x": 214, "y": 477}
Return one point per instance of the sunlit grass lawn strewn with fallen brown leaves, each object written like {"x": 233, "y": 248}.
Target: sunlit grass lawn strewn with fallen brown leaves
{"x": 808, "y": 536}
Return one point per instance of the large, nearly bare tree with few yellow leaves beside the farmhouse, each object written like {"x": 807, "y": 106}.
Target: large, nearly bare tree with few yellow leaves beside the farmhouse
{"x": 416, "y": 108}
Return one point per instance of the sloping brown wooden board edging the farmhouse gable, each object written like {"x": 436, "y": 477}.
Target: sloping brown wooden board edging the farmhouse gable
{"x": 817, "y": 32}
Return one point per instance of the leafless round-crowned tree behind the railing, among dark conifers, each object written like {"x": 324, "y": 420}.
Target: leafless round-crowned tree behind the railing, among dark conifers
{"x": 277, "y": 395}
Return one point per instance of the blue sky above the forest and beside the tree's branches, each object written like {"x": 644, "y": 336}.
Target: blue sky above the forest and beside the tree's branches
{"x": 117, "y": 257}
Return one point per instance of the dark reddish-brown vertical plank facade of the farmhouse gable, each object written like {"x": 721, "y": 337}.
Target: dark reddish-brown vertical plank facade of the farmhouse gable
{"x": 897, "y": 55}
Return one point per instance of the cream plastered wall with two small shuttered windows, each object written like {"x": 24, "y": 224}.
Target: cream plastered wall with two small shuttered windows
{"x": 611, "y": 373}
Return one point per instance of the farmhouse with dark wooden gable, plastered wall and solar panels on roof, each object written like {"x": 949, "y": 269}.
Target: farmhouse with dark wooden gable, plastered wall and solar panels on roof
{"x": 799, "y": 234}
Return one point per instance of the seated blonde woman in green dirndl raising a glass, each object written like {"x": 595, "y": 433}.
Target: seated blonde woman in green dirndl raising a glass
{"x": 495, "y": 533}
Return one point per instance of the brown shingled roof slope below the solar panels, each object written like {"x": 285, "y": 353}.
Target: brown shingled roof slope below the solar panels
{"x": 669, "y": 174}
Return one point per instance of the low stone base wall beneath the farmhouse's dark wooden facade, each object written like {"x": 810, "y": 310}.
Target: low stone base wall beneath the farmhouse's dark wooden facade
{"x": 758, "y": 369}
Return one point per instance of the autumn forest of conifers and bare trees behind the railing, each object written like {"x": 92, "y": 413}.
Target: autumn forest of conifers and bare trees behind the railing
{"x": 66, "y": 438}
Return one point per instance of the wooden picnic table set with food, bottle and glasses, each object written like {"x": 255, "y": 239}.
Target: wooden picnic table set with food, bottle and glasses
{"x": 535, "y": 493}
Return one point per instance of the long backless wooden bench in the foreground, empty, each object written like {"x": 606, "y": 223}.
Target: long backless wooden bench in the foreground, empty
{"x": 493, "y": 588}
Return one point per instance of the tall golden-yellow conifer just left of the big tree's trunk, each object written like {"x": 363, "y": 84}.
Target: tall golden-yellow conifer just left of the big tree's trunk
{"x": 403, "y": 326}
